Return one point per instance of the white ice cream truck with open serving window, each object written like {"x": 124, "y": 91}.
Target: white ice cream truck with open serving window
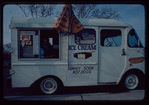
{"x": 105, "y": 52}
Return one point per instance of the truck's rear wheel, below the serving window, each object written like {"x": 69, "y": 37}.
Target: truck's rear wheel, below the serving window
{"x": 49, "y": 85}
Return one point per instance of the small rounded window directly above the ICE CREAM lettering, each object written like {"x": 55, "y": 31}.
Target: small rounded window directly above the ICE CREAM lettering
{"x": 86, "y": 36}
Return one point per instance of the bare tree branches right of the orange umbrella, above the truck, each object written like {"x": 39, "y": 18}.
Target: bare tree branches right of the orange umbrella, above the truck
{"x": 91, "y": 10}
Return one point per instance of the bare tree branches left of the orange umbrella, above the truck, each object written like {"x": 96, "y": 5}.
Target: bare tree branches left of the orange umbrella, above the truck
{"x": 37, "y": 10}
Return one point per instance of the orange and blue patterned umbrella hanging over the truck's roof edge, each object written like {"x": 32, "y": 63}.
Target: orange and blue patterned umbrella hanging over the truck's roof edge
{"x": 67, "y": 21}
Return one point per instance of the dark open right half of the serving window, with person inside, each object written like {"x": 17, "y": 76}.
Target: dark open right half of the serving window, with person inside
{"x": 49, "y": 44}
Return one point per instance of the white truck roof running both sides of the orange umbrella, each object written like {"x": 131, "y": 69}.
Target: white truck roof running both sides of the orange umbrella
{"x": 49, "y": 22}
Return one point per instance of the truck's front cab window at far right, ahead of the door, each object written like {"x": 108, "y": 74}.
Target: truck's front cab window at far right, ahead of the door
{"x": 133, "y": 39}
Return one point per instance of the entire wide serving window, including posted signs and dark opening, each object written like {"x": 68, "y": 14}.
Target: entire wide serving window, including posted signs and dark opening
{"x": 38, "y": 44}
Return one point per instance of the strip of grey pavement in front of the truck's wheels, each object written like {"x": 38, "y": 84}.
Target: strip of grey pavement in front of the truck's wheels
{"x": 132, "y": 95}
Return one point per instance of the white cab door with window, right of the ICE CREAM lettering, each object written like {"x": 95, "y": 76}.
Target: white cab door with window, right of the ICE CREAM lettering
{"x": 112, "y": 54}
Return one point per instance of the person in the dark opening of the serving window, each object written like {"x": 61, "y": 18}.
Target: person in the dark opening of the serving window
{"x": 46, "y": 50}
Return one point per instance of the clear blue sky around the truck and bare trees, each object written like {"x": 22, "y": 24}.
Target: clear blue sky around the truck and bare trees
{"x": 133, "y": 14}
